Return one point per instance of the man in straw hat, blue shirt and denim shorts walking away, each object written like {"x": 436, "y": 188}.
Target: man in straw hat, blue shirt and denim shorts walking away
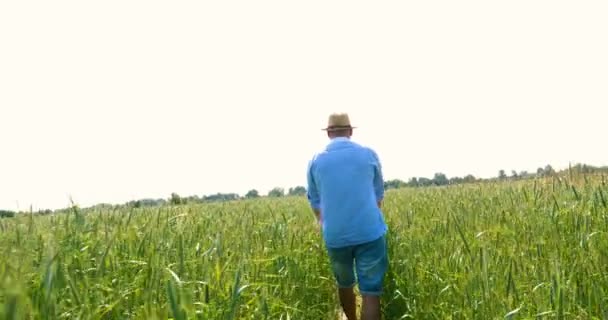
{"x": 345, "y": 191}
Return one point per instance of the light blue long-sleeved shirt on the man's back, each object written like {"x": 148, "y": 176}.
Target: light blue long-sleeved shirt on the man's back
{"x": 345, "y": 183}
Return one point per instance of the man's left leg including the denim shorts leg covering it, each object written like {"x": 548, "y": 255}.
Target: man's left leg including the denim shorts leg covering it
{"x": 341, "y": 260}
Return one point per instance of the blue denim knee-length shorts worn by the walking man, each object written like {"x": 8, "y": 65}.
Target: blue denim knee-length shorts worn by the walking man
{"x": 368, "y": 260}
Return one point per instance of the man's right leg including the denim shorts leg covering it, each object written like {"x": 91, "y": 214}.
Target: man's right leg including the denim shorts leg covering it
{"x": 371, "y": 265}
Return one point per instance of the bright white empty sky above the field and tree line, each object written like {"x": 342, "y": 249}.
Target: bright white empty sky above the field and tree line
{"x": 110, "y": 101}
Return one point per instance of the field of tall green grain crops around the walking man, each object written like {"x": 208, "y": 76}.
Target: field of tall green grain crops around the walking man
{"x": 520, "y": 250}
